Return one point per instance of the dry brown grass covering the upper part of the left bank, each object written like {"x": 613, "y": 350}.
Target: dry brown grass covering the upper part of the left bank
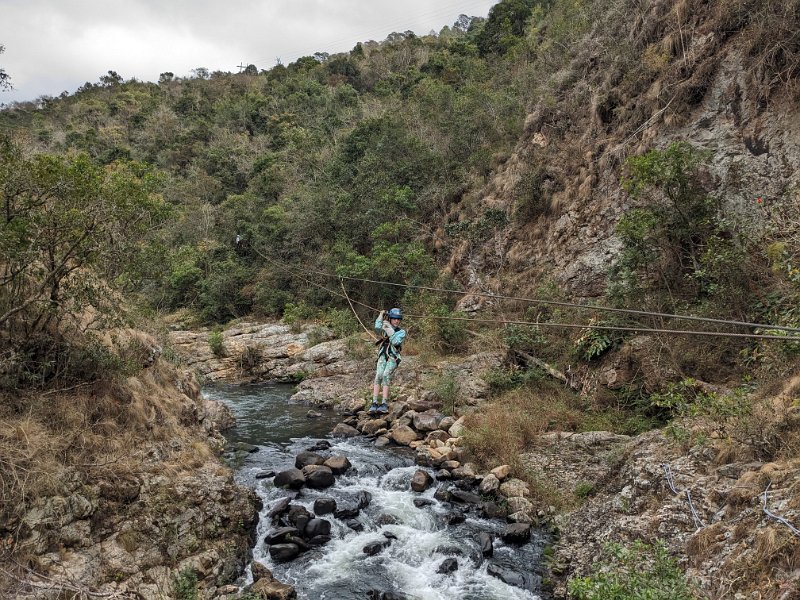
{"x": 93, "y": 434}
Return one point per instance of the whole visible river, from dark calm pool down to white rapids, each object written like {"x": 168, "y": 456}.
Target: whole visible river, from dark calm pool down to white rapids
{"x": 421, "y": 537}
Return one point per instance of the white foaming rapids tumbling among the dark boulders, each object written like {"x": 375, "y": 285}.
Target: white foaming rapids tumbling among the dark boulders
{"x": 409, "y": 564}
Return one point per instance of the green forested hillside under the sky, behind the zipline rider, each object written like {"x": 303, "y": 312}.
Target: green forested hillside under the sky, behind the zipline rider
{"x": 341, "y": 161}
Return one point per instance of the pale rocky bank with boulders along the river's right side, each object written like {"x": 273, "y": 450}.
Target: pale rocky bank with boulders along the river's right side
{"x": 616, "y": 488}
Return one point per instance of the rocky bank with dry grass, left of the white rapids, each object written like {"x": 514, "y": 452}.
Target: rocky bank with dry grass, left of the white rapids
{"x": 122, "y": 492}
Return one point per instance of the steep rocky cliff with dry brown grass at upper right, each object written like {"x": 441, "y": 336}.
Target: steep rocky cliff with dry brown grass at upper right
{"x": 720, "y": 76}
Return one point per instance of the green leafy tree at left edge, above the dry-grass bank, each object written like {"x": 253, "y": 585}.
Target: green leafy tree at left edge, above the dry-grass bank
{"x": 68, "y": 226}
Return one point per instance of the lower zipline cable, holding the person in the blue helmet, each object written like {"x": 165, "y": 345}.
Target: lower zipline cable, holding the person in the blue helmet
{"x": 529, "y": 323}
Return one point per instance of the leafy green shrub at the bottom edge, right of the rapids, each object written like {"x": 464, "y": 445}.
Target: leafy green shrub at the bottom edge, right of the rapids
{"x": 636, "y": 572}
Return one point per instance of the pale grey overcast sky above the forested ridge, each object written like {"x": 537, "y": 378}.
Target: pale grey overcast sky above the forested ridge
{"x": 58, "y": 45}
